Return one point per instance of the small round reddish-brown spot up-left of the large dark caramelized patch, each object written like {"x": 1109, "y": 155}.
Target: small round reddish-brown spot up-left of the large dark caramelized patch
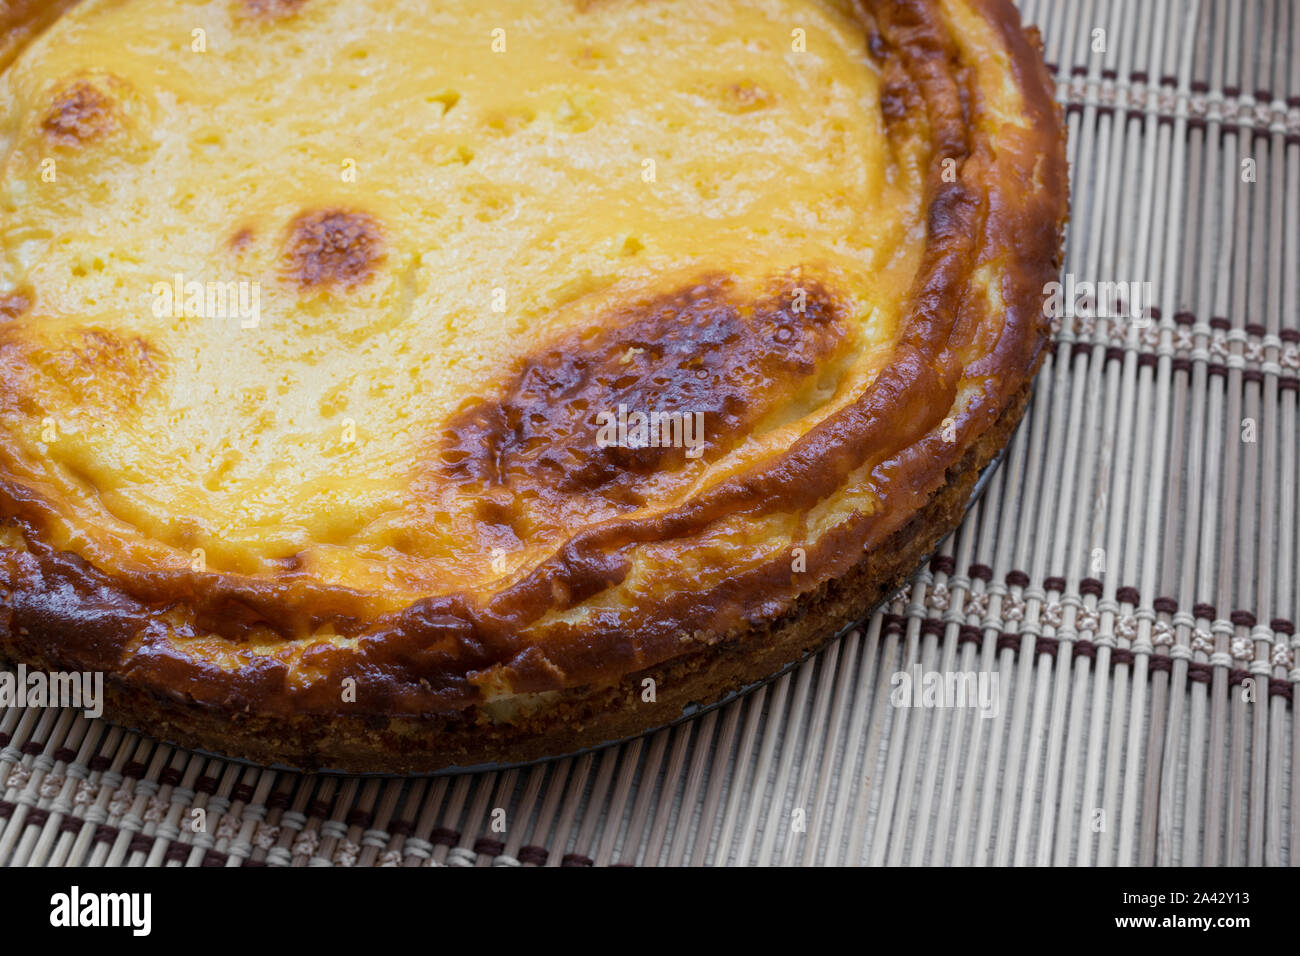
{"x": 333, "y": 248}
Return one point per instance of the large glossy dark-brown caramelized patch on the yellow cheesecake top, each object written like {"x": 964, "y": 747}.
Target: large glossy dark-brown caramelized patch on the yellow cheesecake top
{"x": 692, "y": 352}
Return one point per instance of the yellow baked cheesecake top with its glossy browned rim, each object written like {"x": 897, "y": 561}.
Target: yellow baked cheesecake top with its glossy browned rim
{"x": 480, "y": 349}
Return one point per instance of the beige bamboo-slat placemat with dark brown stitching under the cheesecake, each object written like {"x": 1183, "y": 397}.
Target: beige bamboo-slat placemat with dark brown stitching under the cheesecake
{"x": 1130, "y": 577}
